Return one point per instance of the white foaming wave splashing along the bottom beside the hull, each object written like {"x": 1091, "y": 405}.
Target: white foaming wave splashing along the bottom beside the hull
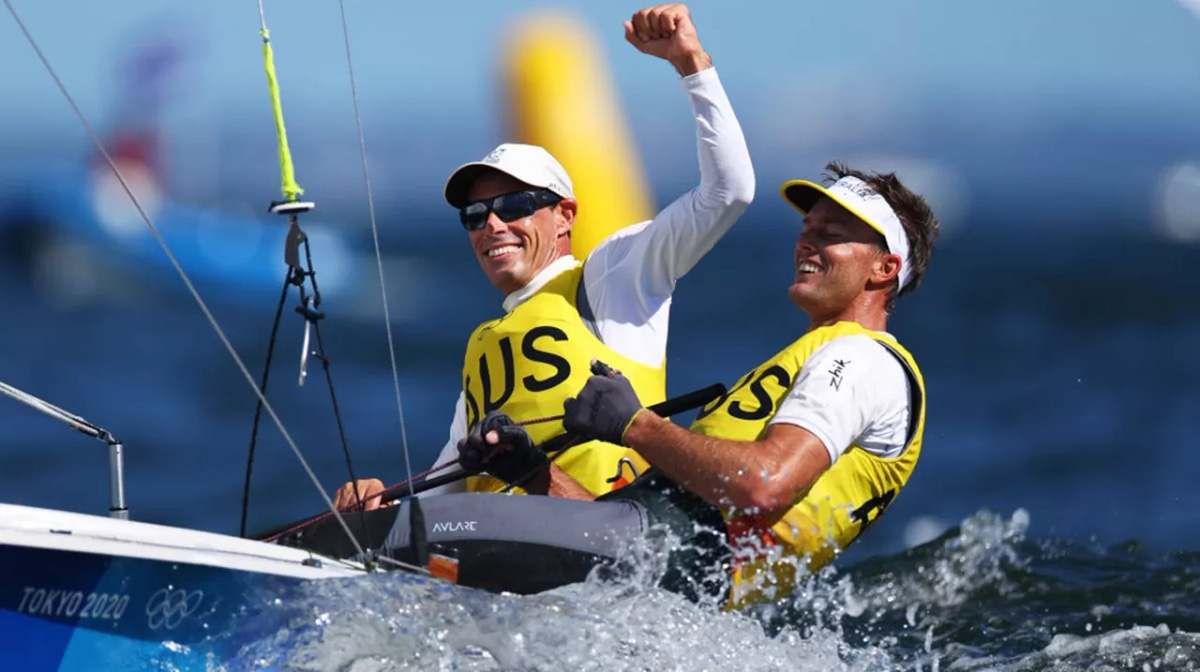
{"x": 980, "y": 597}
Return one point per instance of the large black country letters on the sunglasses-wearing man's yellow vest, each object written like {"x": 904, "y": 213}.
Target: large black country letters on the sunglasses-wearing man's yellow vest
{"x": 535, "y": 347}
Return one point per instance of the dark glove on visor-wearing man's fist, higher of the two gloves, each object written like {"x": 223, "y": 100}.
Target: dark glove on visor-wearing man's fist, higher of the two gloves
{"x": 604, "y": 409}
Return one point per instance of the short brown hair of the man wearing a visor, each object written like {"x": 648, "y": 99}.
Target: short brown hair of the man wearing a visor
{"x": 916, "y": 217}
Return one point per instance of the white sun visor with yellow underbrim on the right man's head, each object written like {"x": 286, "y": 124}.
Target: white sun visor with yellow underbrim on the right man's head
{"x": 865, "y": 203}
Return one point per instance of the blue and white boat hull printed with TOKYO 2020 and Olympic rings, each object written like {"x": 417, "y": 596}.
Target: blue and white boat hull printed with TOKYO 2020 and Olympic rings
{"x": 93, "y": 593}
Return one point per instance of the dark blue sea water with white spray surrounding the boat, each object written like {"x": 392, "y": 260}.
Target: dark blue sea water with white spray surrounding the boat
{"x": 1051, "y": 524}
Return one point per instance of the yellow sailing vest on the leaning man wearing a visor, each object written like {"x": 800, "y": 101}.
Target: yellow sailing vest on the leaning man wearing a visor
{"x": 845, "y": 500}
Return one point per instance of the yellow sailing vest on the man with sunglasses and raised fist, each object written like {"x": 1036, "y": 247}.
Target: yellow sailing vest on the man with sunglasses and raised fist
{"x": 527, "y": 363}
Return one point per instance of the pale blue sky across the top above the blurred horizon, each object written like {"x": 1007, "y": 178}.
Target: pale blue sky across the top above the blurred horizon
{"x": 439, "y": 53}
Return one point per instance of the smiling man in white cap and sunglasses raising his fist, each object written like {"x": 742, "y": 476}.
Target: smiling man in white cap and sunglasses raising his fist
{"x": 518, "y": 207}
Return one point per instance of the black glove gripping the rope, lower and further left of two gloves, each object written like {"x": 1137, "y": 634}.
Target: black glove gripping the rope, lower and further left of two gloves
{"x": 511, "y": 459}
